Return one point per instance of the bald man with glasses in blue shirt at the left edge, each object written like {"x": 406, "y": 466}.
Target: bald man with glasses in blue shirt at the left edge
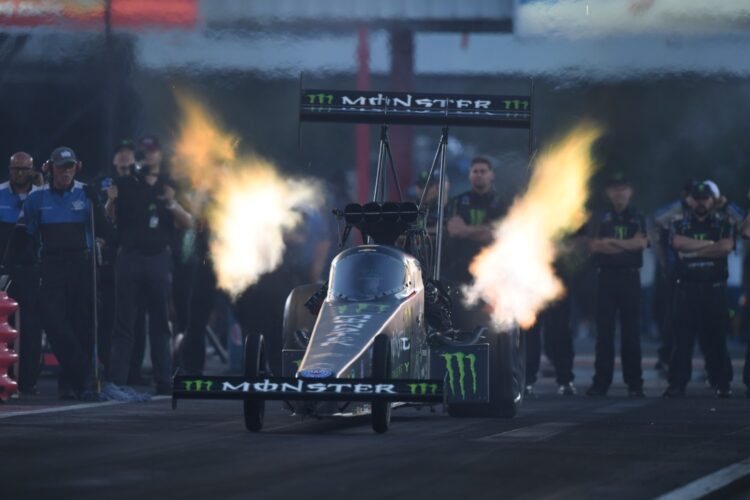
{"x": 18, "y": 261}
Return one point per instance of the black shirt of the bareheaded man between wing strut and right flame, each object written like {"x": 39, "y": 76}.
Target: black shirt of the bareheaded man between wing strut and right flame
{"x": 475, "y": 209}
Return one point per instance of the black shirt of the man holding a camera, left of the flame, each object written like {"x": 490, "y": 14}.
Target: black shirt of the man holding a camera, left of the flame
{"x": 143, "y": 222}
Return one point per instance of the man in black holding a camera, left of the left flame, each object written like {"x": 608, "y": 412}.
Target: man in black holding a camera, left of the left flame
{"x": 146, "y": 213}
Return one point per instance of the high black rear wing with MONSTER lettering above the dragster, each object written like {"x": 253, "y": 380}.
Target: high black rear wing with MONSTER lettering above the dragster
{"x": 409, "y": 108}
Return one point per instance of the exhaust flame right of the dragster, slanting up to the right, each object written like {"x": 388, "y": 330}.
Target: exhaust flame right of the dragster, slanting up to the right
{"x": 514, "y": 275}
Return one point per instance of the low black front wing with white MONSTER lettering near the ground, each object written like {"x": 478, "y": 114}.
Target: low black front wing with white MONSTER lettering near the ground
{"x": 296, "y": 389}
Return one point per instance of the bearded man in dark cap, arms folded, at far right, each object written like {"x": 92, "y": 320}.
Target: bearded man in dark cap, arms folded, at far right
{"x": 703, "y": 241}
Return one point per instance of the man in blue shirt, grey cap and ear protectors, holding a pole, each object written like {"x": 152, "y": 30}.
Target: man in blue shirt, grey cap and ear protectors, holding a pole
{"x": 58, "y": 216}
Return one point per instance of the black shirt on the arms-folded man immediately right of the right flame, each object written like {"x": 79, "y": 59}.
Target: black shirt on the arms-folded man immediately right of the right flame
{"x": 621, "y": 226}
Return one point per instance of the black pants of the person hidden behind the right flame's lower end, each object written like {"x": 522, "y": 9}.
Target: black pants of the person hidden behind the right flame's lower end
{"x": 553, "y": 325}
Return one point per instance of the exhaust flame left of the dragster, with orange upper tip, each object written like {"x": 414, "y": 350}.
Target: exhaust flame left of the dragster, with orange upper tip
{"x": 249, "y": 205}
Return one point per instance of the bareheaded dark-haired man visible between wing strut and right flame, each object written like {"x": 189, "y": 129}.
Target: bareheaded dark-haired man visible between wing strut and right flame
{"x": 469, "y": 219}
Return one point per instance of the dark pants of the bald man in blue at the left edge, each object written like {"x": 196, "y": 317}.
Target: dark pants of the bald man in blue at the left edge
{"x": 24, "y": 289}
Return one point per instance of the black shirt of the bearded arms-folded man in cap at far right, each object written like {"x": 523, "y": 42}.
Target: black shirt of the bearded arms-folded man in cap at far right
{"x": 714, "y": 227}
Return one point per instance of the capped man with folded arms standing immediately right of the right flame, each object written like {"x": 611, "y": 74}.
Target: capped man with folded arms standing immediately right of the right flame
{"x": 618, "y": 241}
